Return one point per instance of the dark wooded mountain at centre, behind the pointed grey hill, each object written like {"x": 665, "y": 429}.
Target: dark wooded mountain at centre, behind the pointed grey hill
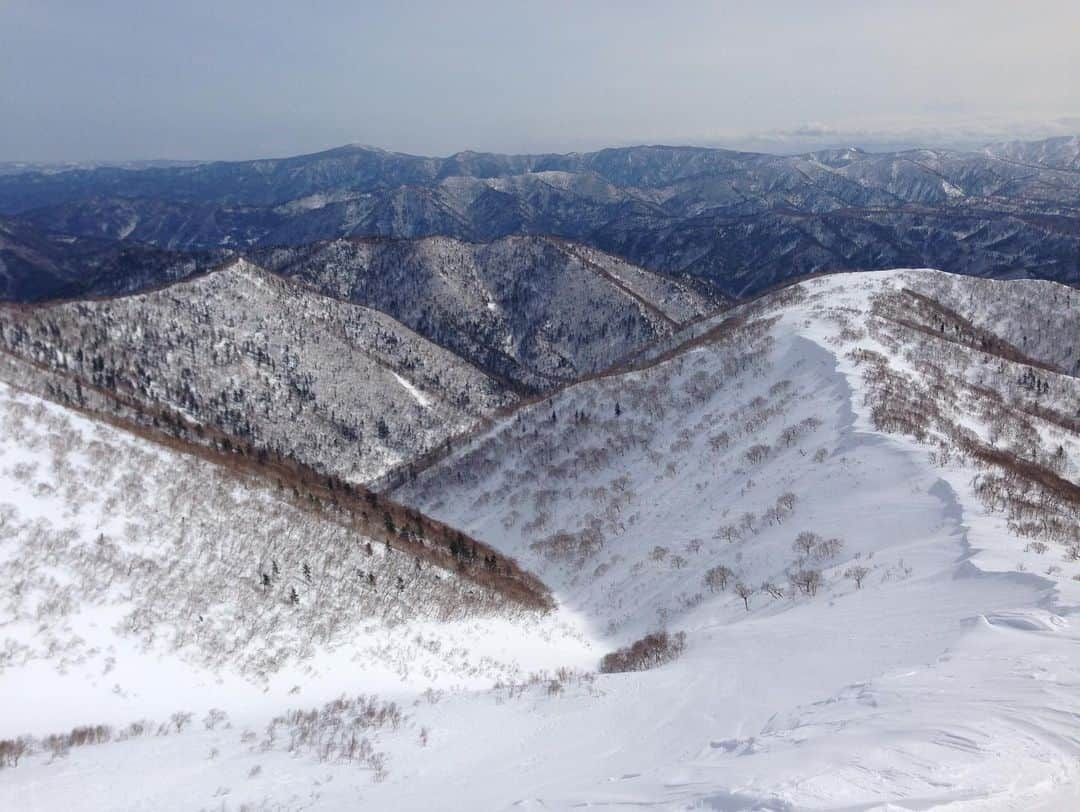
{"x": 534, "y": 310}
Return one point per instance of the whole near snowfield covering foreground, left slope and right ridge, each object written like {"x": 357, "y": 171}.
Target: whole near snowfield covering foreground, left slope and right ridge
{"x": 877, "y": 615}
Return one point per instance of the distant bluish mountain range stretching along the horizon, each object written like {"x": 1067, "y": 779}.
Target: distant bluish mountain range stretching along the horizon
{"x": 740, "y": 222}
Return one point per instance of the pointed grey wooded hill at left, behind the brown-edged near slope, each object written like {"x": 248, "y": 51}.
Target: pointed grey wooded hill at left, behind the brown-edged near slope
{"x": 272, "y": 363}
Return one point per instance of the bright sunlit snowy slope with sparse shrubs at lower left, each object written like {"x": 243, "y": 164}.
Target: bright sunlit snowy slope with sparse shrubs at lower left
{"x": 142, "y": 586}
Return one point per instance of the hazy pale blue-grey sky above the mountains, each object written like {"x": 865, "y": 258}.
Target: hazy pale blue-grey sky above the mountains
{"x": 185, "y": 79}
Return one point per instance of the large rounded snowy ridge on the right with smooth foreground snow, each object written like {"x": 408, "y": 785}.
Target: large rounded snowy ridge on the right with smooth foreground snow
{"x": 858, "y": 504}
